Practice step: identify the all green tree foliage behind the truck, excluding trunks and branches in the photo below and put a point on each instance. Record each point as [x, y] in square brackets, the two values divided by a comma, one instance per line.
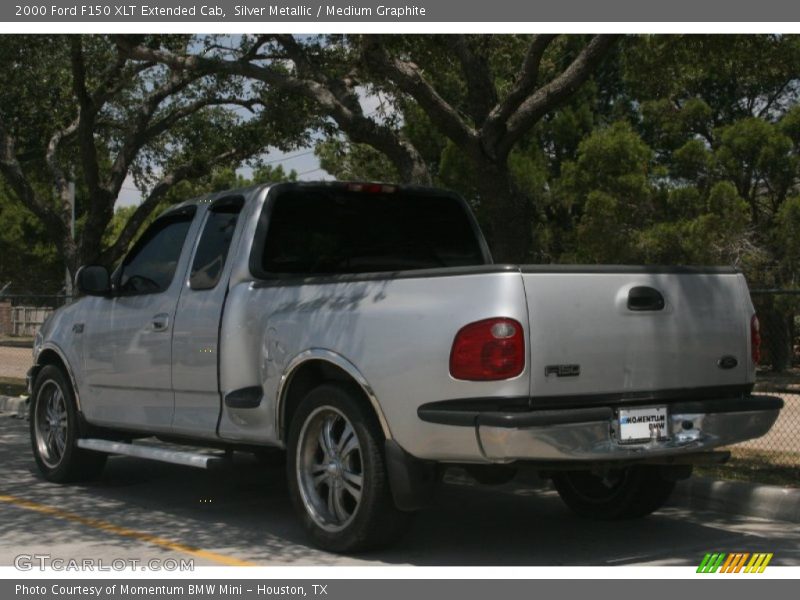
[679, 149]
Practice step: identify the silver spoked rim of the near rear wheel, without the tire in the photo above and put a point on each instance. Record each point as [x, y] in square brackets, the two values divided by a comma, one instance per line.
[329, 468]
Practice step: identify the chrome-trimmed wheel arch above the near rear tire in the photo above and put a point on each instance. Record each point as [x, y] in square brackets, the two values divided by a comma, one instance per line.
[308, 370]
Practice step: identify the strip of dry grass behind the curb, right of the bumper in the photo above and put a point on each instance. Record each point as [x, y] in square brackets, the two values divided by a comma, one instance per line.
[773, 468]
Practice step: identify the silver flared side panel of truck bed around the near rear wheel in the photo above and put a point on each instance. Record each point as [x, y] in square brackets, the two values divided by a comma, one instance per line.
[397, 332]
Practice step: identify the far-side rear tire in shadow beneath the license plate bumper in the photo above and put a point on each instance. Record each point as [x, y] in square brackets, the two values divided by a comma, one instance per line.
[620, 494]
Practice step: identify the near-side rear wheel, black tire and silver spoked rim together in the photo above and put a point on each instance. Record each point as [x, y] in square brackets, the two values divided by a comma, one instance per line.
[337, 473]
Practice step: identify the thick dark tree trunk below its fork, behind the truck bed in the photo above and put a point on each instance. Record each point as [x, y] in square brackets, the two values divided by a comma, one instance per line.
[507, 215]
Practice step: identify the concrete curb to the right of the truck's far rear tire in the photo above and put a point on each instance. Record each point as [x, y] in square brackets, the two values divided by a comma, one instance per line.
[739, 498]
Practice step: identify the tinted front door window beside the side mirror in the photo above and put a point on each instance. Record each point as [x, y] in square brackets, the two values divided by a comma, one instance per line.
[150, 266]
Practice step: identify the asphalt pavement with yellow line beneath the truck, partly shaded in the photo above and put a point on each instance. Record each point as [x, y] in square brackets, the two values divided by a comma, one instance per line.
[142, 510]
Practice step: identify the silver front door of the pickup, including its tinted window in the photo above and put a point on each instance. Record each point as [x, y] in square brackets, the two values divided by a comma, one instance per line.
[128, 375]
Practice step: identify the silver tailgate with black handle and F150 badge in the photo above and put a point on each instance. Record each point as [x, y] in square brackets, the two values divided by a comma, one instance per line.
[635, 333]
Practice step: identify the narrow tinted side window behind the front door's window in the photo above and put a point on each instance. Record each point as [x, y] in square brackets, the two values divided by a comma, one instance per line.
[215, 242]
